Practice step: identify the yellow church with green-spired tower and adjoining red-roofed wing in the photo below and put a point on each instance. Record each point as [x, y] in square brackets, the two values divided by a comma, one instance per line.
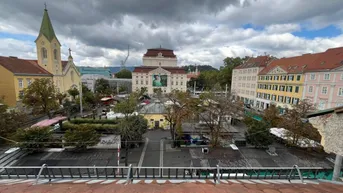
[17, 74]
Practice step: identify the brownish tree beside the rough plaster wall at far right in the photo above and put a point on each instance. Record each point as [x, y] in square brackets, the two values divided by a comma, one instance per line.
[293, 121]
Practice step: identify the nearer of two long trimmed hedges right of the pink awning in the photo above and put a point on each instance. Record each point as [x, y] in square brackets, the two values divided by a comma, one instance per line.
[108, 128]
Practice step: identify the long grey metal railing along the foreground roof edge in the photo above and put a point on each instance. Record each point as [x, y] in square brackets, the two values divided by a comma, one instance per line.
[130, 172]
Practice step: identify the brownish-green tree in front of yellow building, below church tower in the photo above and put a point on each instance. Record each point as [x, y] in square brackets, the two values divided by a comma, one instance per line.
[41, 97]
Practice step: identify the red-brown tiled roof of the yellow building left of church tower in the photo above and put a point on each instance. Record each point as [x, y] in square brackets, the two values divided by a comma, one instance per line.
[21, 66]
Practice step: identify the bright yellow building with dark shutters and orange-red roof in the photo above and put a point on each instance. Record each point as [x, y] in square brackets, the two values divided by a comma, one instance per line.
[282, 82]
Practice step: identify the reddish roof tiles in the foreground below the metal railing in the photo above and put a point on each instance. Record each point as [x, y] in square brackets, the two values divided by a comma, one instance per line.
[183, 187]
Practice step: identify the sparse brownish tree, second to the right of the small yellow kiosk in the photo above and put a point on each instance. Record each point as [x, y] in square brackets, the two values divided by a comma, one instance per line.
[216, 112]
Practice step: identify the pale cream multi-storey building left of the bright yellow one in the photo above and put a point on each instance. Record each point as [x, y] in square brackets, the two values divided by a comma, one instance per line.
[244, 79]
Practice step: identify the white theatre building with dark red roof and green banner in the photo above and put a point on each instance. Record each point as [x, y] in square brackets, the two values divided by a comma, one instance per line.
[159, 71]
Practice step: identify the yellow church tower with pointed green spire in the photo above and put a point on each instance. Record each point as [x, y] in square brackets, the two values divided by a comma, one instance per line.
[49, 48]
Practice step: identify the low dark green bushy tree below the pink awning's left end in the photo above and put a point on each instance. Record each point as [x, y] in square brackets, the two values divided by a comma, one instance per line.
[34, 138]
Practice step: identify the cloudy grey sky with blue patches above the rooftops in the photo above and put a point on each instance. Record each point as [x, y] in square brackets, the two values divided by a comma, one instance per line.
[200, 31]
